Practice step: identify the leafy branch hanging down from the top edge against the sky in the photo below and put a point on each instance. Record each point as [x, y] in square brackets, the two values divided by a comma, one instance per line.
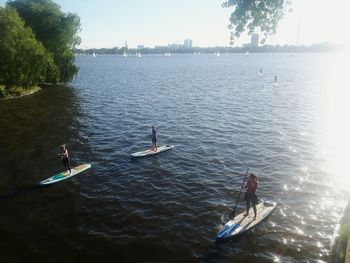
[251, 15]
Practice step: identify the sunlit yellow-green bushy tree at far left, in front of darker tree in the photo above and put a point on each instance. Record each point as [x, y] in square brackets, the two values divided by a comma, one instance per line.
[24, 61]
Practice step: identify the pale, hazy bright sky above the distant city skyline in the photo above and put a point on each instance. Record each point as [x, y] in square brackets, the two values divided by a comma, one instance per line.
[109, 23]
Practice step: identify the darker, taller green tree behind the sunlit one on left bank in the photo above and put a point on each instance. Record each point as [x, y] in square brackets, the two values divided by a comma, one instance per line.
[56, 30]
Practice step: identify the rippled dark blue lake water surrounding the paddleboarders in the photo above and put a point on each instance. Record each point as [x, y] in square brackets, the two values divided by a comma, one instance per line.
[221, 116]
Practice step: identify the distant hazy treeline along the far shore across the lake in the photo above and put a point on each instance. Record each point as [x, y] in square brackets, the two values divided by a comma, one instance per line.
[322, 47]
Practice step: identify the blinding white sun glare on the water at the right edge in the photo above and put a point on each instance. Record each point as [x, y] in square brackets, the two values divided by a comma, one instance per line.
[336, 126]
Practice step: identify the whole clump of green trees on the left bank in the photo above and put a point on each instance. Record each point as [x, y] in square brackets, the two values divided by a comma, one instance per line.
[36, 42]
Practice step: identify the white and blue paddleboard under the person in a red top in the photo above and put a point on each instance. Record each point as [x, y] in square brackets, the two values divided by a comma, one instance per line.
[241, 224]
